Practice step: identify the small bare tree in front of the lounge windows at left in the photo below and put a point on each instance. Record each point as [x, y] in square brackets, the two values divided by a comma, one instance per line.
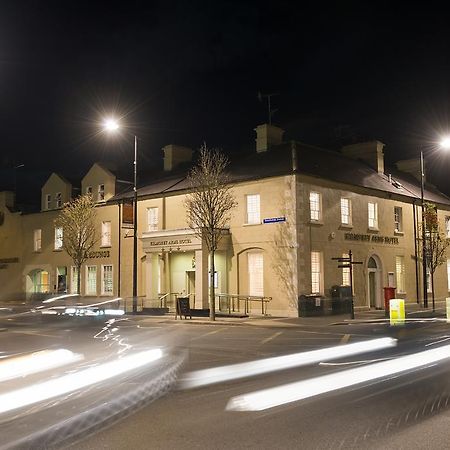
[77, 220]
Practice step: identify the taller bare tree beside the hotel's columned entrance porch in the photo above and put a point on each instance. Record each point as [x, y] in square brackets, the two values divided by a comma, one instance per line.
[209, 205]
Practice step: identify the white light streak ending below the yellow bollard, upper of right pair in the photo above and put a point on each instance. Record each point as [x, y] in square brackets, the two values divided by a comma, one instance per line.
[235, 371]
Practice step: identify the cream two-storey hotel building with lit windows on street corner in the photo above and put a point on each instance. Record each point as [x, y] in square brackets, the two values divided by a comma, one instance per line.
[298, 206]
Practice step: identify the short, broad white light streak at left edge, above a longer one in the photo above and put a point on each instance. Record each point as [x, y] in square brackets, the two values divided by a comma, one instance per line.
[36, 362]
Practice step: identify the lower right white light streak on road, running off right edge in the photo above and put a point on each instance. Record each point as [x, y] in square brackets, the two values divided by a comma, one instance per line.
[280, 395]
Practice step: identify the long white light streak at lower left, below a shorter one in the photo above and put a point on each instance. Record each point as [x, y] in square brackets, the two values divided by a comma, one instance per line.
[74, 381]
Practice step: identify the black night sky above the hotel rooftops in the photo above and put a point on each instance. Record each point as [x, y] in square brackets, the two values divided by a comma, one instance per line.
[189, 71]
